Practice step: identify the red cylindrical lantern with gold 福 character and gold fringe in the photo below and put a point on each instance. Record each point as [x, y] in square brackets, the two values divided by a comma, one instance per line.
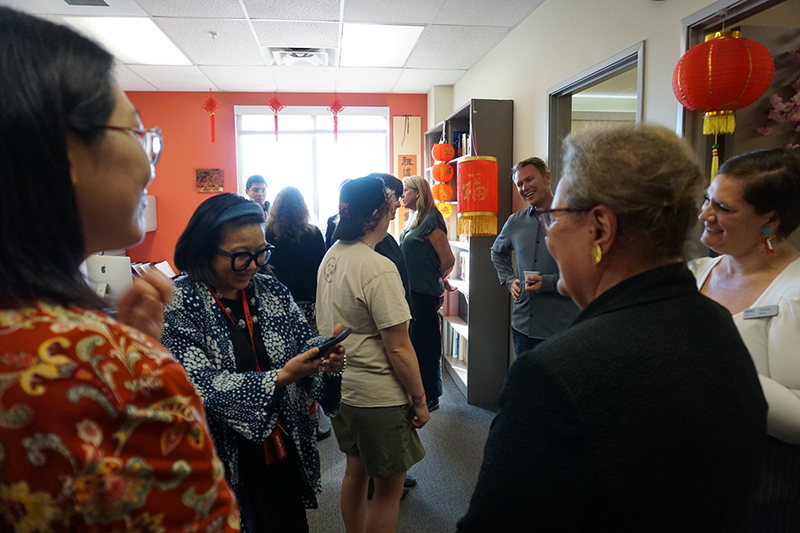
[477, 195]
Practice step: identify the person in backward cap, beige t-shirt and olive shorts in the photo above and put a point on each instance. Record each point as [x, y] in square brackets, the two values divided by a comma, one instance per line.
[383, 400]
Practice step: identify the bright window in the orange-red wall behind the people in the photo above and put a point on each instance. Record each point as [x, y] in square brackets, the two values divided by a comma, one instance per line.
[305, 155]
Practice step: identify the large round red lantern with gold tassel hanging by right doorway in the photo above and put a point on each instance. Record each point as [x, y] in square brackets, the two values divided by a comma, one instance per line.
[723, 74]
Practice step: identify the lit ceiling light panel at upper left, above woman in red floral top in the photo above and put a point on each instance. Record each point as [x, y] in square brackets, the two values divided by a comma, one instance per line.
[132, 40]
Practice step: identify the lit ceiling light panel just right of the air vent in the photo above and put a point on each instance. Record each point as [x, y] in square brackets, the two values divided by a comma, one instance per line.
[377, 45]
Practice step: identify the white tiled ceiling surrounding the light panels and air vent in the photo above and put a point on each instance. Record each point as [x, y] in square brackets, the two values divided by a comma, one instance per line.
[456, 35]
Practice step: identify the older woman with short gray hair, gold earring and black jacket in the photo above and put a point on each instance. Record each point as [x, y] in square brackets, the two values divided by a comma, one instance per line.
[646, 414]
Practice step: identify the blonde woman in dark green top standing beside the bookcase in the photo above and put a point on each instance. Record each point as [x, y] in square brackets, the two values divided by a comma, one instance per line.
[429, 260]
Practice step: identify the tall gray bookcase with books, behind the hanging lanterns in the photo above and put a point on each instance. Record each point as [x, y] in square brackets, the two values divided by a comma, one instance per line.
[476, 317]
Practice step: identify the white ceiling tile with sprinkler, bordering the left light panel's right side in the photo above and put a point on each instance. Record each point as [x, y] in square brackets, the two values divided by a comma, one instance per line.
[234, 43]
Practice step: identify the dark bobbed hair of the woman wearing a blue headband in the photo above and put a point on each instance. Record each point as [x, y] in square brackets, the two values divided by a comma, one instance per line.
[197, 245]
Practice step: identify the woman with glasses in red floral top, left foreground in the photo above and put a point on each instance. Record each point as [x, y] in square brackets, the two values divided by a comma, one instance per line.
[100, 428]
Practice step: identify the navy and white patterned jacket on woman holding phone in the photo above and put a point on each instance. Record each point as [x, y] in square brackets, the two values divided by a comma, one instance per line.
[196, 332]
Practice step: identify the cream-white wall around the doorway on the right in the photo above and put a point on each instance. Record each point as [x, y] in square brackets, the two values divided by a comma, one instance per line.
[565, 37]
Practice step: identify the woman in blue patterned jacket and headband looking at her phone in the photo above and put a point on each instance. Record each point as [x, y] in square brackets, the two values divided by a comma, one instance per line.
[250, 353]
